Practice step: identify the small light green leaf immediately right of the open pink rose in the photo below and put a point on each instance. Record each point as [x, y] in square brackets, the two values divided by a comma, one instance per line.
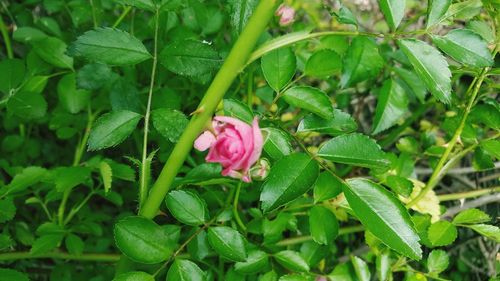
[276, 143]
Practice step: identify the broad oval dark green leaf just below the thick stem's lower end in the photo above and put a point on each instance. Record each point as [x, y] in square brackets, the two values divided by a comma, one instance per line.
[142, 240]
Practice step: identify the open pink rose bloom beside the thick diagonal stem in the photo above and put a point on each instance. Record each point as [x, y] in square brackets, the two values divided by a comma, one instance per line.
[234, 144]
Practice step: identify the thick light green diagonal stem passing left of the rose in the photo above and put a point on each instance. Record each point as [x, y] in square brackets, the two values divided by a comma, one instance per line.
[235, 61]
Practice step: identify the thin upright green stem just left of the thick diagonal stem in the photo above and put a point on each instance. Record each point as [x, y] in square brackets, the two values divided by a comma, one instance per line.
[144, 178]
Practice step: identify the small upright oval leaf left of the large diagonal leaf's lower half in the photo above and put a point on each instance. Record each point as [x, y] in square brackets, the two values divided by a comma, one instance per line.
[323, 225]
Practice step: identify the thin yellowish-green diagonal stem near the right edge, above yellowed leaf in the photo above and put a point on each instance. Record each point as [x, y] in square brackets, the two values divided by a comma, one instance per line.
[437, 174]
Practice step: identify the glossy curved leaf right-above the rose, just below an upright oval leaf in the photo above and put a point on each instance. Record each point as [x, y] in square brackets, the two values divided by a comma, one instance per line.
[310, 99]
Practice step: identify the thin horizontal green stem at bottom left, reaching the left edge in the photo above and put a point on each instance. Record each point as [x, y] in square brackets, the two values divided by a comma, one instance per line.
[60, 255]
